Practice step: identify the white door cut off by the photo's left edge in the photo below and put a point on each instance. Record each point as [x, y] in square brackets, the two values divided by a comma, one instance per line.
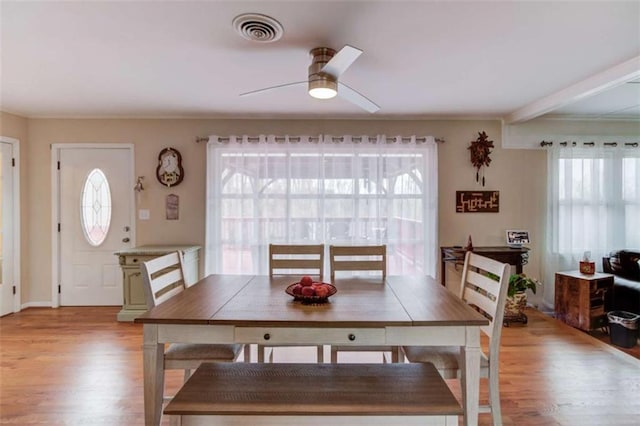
[7, 226]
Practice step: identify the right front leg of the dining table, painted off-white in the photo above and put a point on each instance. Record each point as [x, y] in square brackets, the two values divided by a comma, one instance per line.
[471, 376]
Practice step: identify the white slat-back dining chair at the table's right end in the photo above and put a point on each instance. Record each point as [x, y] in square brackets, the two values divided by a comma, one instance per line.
[484, 286]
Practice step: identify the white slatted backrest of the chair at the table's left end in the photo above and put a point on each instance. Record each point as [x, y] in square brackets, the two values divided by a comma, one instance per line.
[162, 277]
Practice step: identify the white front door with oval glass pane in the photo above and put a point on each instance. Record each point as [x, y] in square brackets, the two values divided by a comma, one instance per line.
[95, 204]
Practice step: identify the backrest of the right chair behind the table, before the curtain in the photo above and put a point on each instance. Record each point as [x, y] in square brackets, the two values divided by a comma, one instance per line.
[358, 258]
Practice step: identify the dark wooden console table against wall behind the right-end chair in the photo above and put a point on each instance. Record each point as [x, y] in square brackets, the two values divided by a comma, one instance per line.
[516, 256]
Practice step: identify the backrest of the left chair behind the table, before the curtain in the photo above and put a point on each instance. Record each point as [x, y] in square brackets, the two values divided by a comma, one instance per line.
[292, 258]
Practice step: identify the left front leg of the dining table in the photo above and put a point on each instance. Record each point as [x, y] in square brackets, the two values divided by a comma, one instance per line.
[153, 367]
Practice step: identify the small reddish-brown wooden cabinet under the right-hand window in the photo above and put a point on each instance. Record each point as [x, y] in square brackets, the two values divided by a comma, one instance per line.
[580, 298]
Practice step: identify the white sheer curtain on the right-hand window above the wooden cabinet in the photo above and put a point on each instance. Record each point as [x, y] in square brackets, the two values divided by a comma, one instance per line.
[593, 205]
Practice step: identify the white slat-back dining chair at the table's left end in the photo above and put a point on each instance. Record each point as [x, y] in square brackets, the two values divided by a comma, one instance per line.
[163, 278]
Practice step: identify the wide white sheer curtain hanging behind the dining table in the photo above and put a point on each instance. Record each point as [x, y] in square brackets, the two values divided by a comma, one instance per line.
[321, 189]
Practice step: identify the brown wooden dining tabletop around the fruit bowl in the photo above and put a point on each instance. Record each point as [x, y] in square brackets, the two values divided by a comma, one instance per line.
[248, 300]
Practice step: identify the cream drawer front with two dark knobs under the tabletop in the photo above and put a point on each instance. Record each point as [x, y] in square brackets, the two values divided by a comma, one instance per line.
[311, 336]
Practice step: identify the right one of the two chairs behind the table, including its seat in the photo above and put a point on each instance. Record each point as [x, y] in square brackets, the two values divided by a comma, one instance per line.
[360, 258]
